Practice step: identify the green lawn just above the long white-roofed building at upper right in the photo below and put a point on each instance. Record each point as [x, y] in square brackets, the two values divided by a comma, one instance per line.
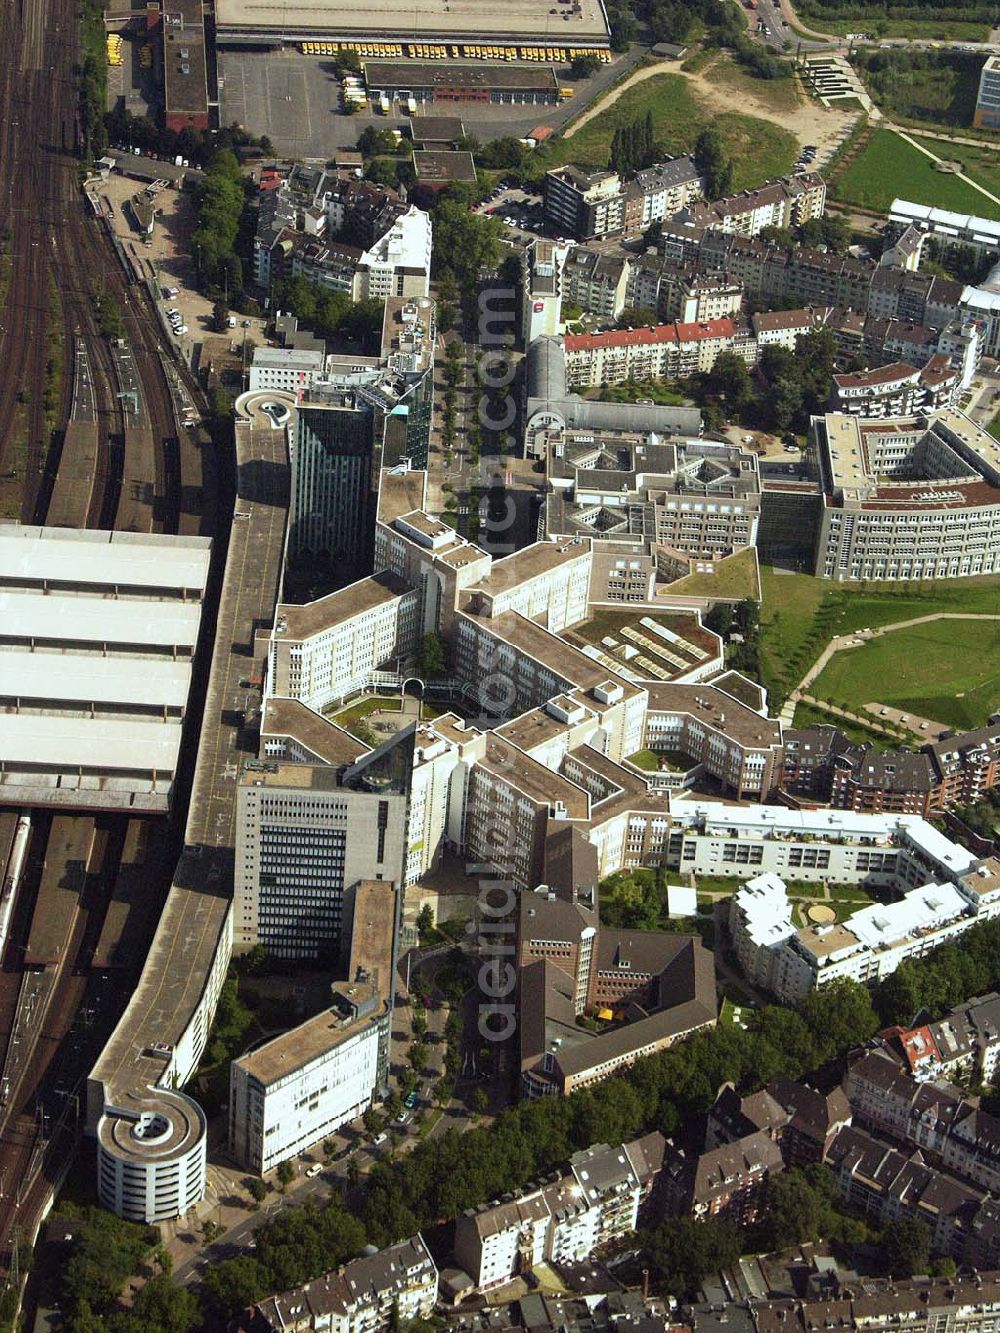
[891, 169]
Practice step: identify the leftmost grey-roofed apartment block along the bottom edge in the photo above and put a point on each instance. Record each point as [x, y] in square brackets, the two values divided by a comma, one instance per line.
[366, 1296]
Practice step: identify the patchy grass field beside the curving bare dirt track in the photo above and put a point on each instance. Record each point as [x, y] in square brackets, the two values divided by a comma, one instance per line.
[759, 149]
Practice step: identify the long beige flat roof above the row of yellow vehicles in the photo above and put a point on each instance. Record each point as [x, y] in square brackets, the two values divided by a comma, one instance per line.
[382, 19]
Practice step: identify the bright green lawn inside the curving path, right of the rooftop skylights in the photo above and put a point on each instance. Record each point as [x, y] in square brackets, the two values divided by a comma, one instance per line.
[949, 671]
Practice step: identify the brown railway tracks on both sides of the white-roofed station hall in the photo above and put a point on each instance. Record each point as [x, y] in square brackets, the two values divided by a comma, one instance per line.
[98, 446]
